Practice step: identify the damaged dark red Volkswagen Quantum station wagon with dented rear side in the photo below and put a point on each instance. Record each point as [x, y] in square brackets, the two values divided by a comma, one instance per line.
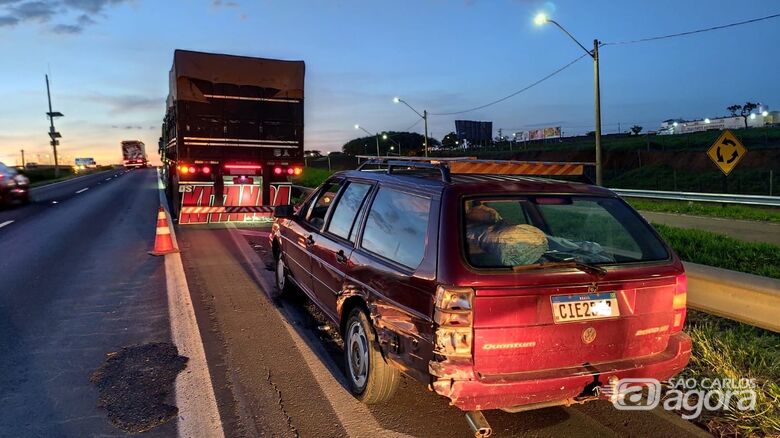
[497, 290]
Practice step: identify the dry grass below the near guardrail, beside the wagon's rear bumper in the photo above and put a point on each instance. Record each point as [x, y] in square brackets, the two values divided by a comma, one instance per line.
[728, 349]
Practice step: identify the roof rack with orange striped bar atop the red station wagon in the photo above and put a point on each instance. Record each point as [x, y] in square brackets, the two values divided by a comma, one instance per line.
[448, 166]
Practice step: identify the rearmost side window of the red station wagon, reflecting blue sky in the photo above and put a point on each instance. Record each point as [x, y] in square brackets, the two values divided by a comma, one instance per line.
[396, 227]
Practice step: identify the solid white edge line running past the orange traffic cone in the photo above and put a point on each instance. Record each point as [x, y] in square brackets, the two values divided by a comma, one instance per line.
[198, 412]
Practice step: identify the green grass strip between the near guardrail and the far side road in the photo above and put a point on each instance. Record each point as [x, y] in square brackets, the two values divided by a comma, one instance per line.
[721, 251]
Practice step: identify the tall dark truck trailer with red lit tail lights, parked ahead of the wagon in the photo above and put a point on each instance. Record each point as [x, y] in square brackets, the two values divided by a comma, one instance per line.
[232, 136]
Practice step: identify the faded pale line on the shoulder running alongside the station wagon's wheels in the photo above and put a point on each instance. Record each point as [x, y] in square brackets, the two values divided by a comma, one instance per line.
[353, 415]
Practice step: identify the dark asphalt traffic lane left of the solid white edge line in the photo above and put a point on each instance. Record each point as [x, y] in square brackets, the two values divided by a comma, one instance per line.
[76, 283]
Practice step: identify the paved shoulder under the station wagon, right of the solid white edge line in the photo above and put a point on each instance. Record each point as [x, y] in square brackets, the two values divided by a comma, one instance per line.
[277, 365]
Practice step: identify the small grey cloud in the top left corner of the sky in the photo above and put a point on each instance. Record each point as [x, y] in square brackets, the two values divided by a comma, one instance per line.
[76, 14]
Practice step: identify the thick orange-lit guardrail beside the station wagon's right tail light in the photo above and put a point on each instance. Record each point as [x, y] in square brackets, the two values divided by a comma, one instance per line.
[742, 297]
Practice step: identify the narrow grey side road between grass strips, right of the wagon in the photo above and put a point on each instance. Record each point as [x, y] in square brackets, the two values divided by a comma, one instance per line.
[750, 231]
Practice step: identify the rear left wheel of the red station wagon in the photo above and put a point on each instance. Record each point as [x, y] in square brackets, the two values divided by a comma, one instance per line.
[371, 379]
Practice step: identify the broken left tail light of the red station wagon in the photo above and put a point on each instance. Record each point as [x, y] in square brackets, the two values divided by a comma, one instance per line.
[453, 314]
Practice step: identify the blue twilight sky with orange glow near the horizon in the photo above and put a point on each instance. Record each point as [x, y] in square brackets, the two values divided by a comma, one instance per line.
[109, 59]
